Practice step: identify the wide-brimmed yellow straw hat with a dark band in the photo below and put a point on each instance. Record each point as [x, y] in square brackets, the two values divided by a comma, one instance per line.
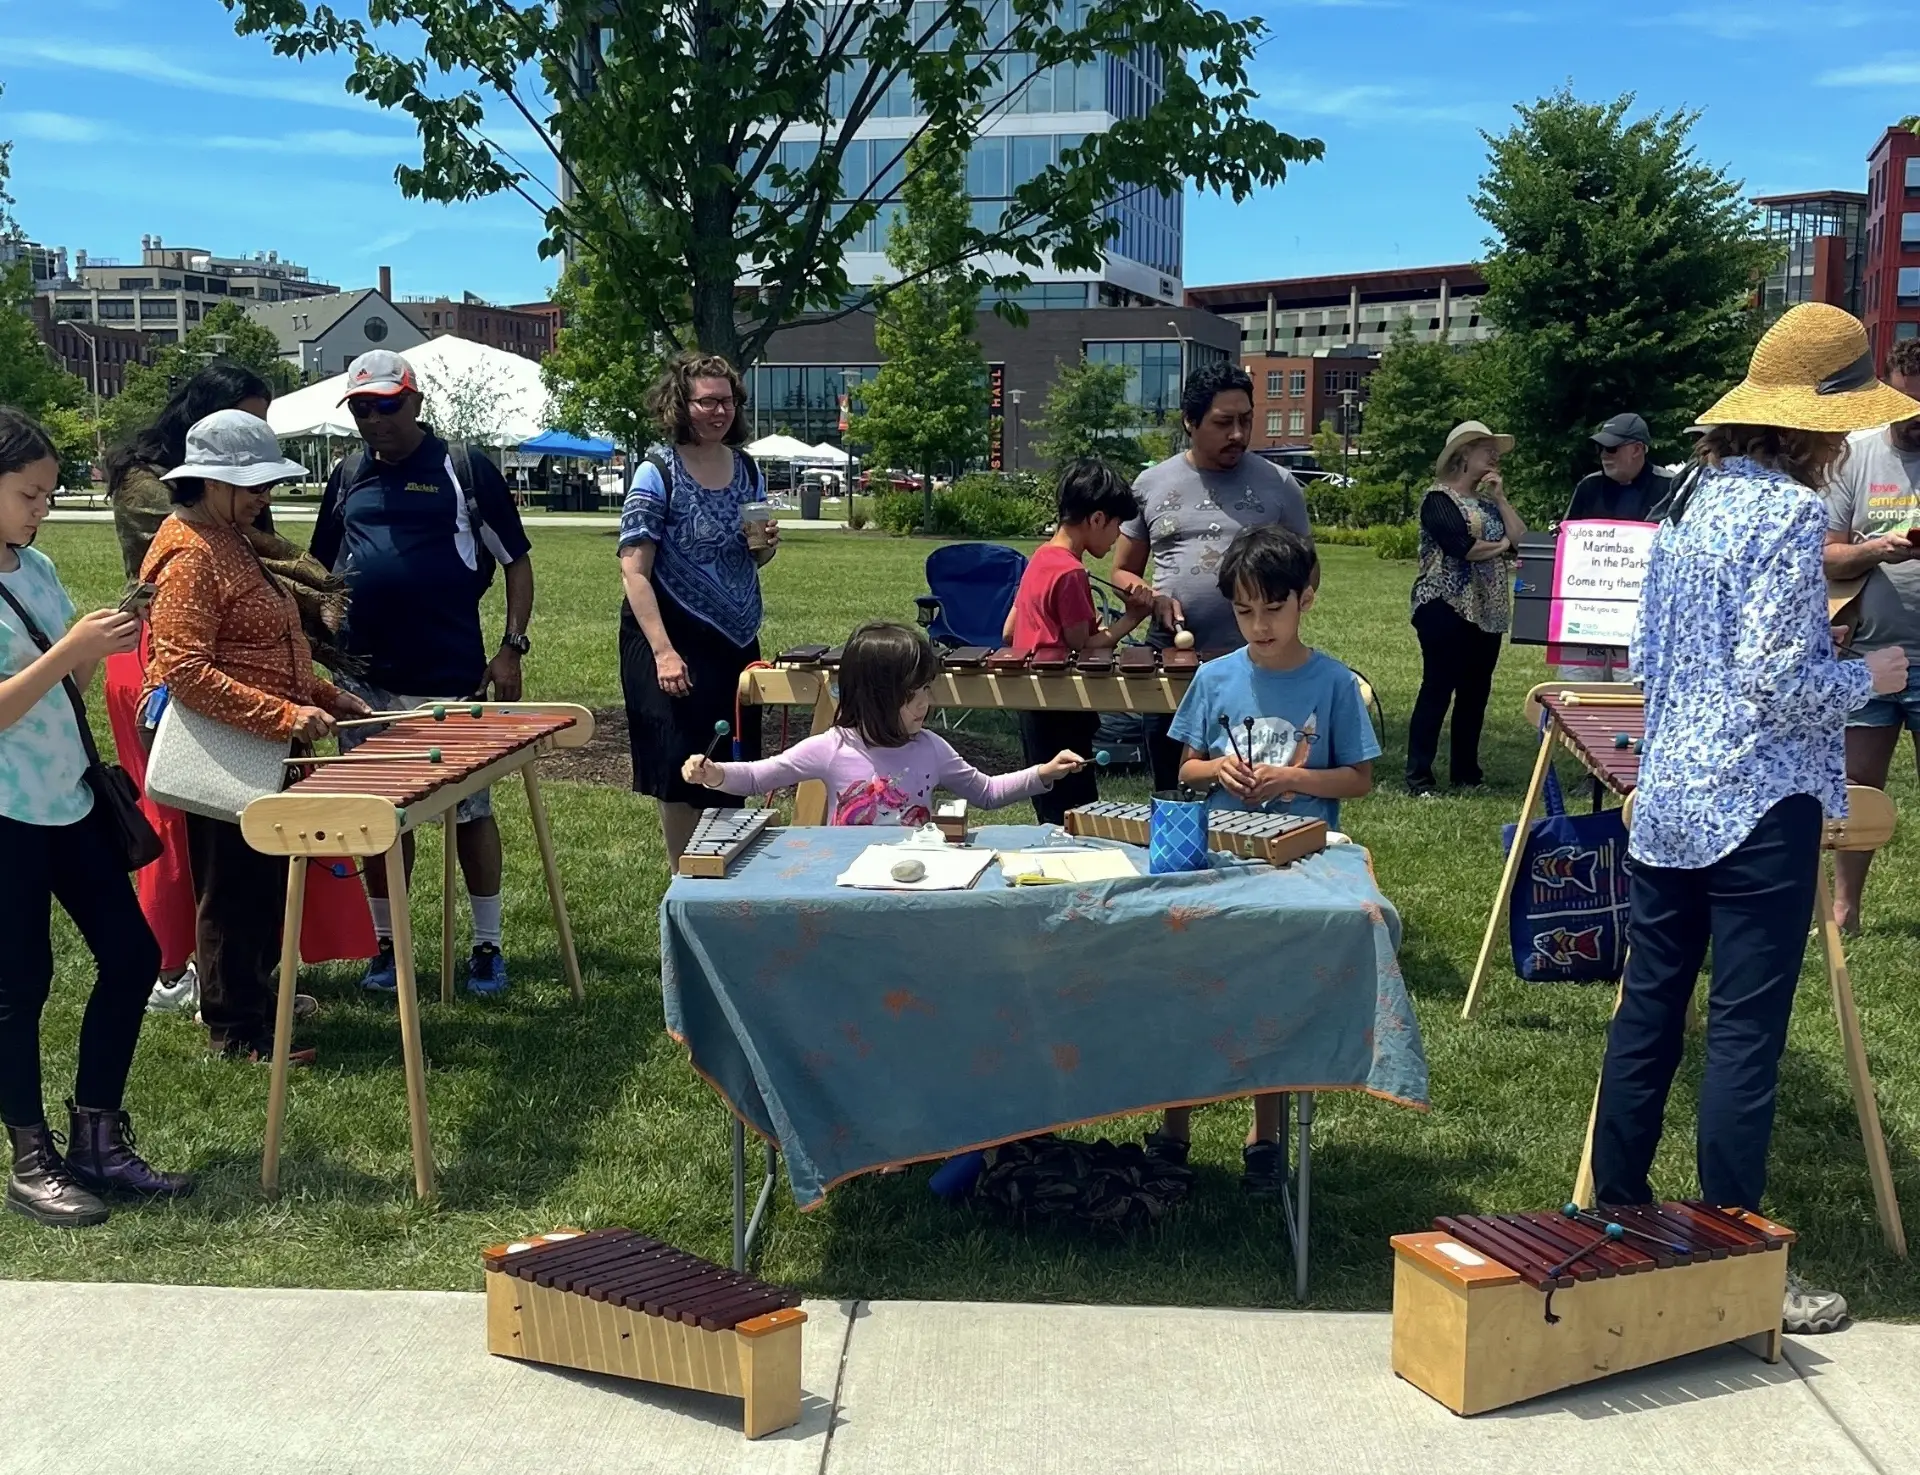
[1813, 372]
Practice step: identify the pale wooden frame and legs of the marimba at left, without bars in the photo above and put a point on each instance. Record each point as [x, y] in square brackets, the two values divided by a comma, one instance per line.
[366, 827]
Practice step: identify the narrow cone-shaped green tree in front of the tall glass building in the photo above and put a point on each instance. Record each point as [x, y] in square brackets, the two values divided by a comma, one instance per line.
[928, 402]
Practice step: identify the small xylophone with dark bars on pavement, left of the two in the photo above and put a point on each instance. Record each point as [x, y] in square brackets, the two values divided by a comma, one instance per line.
[619, 1303]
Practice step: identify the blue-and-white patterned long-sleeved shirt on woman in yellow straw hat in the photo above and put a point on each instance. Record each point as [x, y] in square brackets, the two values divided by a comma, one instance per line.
[1746, 700]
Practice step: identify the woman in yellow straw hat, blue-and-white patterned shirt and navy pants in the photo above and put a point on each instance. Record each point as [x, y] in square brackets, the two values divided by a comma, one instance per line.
[1742, 762]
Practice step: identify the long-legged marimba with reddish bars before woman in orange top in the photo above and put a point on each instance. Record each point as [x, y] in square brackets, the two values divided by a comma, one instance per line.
[408, 775]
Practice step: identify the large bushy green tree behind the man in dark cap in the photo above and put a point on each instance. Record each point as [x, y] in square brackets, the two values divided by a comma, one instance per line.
[1621, 279]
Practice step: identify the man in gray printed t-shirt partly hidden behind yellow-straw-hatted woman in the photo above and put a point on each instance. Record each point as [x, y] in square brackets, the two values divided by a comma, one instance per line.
[1871, 504]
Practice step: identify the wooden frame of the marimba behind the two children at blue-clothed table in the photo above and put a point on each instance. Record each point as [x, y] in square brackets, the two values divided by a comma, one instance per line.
[971, 689]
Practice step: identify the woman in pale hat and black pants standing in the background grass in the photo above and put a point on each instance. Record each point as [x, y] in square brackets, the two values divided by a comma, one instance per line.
[1462, 602]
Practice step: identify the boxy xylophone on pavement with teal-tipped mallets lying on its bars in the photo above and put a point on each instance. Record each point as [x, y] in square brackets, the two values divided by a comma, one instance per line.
[1495, 1309]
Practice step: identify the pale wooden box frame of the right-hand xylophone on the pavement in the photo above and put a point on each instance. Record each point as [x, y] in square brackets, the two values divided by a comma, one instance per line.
[1476, 1336]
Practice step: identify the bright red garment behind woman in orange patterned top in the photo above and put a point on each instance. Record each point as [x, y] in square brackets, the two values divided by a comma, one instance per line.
[337, 923]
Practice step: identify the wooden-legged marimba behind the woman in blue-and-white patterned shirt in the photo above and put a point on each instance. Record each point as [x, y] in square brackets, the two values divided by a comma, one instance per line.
[1604, 727]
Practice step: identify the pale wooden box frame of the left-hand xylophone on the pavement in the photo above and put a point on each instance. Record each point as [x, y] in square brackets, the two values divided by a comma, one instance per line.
[757, 1361]
